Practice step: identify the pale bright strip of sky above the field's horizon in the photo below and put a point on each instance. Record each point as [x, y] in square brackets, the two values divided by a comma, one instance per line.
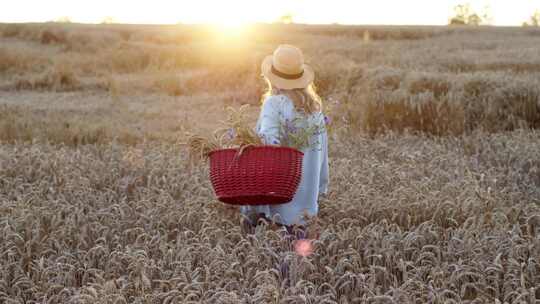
[391, 12]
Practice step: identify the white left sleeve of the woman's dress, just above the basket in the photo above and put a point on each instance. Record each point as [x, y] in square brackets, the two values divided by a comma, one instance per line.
[268, 125]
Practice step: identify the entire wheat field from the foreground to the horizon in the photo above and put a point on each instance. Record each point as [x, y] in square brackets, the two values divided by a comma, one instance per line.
[434, 166]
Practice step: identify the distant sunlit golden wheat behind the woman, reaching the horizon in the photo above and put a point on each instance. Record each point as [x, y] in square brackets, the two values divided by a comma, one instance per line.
[403, 79]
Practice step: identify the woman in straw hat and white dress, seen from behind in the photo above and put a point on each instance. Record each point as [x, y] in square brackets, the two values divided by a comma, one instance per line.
[291, 97]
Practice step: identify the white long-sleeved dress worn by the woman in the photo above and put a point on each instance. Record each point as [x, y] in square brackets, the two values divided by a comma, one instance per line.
[314, 179]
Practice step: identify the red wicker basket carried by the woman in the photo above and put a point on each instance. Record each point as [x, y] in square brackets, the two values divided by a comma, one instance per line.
[260, 175]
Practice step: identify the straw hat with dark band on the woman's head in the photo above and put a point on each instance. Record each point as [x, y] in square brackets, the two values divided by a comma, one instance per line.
[285, 68]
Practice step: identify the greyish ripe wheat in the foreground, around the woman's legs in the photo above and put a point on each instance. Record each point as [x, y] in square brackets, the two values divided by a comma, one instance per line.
[408, 219]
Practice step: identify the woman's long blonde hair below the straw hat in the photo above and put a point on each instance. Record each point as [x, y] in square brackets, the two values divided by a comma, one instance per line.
[306, 99]
